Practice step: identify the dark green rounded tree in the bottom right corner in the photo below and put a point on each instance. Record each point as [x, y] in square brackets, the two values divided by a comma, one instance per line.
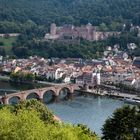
[123, 125]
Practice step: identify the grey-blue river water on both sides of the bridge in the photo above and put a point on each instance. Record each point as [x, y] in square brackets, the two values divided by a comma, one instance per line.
[91, 110]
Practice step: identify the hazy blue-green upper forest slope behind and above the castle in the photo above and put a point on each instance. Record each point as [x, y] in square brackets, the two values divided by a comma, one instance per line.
[68, 11]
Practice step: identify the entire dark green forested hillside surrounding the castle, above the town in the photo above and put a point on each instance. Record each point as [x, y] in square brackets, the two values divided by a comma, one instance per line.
[32, 19]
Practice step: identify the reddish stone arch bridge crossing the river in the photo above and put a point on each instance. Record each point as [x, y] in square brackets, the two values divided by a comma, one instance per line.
[40, 92]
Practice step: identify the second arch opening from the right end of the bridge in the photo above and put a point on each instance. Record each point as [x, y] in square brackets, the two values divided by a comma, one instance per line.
[49, 96]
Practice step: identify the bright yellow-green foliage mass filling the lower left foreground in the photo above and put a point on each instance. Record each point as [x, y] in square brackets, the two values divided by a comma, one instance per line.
[31, 120]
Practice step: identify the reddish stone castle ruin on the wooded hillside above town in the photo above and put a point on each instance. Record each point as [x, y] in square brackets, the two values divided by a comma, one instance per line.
[70, 32]
